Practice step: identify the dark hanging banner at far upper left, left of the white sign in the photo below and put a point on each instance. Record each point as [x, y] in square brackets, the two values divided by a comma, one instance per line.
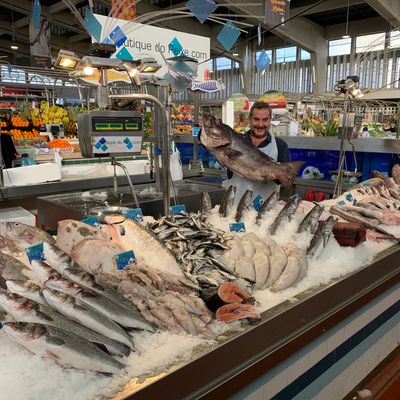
[40, 48]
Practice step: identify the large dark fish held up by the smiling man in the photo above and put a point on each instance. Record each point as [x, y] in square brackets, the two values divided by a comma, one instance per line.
[242, 157]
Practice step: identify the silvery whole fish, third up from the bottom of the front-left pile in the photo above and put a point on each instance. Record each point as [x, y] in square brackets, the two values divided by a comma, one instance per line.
[72, 309]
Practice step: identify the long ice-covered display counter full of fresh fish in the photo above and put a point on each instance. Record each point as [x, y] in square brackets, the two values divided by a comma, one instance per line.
[233, 299]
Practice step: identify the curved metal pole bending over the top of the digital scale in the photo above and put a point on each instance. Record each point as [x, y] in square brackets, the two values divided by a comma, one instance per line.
[163, 133]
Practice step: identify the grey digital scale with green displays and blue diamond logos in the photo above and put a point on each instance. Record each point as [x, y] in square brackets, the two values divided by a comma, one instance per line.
[110, 133]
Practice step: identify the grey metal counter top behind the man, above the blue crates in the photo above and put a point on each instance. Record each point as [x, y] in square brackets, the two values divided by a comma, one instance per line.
[372, 145]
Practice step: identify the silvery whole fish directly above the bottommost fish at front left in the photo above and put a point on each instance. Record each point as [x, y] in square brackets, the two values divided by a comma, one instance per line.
[24, 310]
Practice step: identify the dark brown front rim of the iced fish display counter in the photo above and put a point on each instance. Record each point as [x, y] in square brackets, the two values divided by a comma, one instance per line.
[283, 330]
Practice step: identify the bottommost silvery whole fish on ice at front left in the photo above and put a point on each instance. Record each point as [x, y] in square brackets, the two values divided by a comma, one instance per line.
[65, 348]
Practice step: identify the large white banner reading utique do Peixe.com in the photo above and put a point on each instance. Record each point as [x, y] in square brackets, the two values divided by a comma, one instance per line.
[135, 41]
